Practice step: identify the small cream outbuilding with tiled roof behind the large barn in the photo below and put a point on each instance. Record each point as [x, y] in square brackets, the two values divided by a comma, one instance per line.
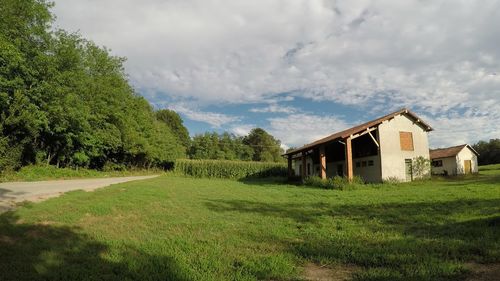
[455, 160]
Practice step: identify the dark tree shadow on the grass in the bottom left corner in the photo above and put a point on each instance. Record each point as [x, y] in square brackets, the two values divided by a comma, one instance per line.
[47, 252]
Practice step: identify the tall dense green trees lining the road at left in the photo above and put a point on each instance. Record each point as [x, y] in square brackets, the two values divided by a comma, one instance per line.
[66, 101]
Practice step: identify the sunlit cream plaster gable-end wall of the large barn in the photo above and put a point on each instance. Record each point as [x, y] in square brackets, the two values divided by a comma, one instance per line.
[392, 157]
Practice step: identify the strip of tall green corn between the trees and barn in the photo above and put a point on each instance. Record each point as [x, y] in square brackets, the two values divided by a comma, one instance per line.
[229, 169]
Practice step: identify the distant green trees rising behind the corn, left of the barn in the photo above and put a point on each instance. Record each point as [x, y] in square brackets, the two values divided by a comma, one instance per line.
[258, 145]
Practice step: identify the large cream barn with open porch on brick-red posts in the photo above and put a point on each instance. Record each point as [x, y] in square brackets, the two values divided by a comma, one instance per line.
[384, 148]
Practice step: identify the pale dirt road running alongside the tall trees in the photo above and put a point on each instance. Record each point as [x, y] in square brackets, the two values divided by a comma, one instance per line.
[14, 192]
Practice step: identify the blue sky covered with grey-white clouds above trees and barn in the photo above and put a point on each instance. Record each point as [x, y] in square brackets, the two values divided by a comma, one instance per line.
[303, 69]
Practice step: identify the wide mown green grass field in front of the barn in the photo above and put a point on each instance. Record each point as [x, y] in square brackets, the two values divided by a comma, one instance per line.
[174, 228]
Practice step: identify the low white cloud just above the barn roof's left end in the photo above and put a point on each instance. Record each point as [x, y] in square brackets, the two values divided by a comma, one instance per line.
[299, 129]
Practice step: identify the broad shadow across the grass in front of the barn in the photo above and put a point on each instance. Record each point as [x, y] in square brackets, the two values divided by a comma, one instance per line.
[407, 241]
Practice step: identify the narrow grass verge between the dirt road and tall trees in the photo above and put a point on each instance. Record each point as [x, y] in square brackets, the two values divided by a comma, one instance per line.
[44, 172]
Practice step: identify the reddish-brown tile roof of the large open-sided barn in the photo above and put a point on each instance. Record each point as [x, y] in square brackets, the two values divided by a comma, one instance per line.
[357, 129]
